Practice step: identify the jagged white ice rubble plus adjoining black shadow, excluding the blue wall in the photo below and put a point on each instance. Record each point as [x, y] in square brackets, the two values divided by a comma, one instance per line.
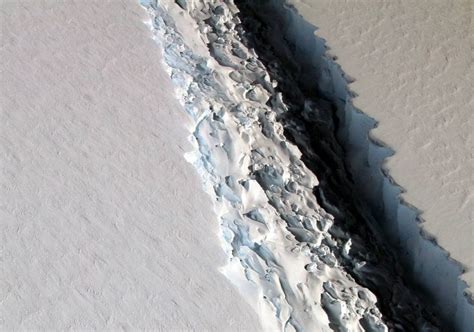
[296, 243]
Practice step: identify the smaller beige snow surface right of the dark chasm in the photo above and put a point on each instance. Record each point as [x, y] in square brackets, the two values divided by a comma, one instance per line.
[412, 66]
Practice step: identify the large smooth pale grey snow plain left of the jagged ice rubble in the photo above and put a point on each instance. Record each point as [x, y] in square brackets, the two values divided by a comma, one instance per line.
[103, 223]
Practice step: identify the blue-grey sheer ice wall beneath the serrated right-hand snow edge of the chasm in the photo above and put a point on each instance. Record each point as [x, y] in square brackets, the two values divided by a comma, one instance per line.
[427, 265]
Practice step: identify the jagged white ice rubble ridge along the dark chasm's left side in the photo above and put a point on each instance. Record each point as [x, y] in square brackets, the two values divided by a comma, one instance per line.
[285, 252]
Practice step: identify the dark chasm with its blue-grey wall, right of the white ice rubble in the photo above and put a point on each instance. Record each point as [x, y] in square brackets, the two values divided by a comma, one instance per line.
[427, 269]
